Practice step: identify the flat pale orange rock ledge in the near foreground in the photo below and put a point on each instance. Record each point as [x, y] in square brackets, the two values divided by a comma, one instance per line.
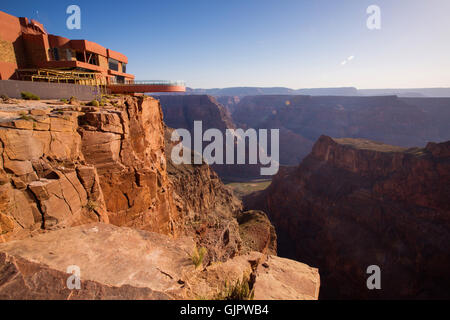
[123, 263]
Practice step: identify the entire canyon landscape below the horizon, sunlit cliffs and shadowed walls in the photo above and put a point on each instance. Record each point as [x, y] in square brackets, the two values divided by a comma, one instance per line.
[95, 187]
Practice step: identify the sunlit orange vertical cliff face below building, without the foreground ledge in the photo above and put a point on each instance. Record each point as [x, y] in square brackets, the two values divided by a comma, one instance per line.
[70, 165]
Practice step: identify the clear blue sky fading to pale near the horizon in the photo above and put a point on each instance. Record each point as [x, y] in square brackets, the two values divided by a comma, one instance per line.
[291, 43]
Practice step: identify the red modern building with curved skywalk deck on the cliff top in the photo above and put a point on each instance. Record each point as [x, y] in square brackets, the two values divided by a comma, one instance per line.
[28, 52]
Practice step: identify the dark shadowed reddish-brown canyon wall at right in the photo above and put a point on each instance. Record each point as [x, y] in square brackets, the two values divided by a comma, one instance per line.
[353, 203]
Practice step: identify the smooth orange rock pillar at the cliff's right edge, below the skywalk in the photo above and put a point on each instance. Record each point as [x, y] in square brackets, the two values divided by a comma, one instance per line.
[126, 145]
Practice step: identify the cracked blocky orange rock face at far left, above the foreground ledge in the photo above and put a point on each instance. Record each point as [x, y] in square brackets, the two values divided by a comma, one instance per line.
[40, 163]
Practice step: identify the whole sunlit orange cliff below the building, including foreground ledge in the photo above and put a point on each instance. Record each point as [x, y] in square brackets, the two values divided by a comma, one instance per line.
[93, 187]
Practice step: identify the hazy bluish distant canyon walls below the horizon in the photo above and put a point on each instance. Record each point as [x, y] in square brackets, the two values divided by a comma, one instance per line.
[406, 122]
